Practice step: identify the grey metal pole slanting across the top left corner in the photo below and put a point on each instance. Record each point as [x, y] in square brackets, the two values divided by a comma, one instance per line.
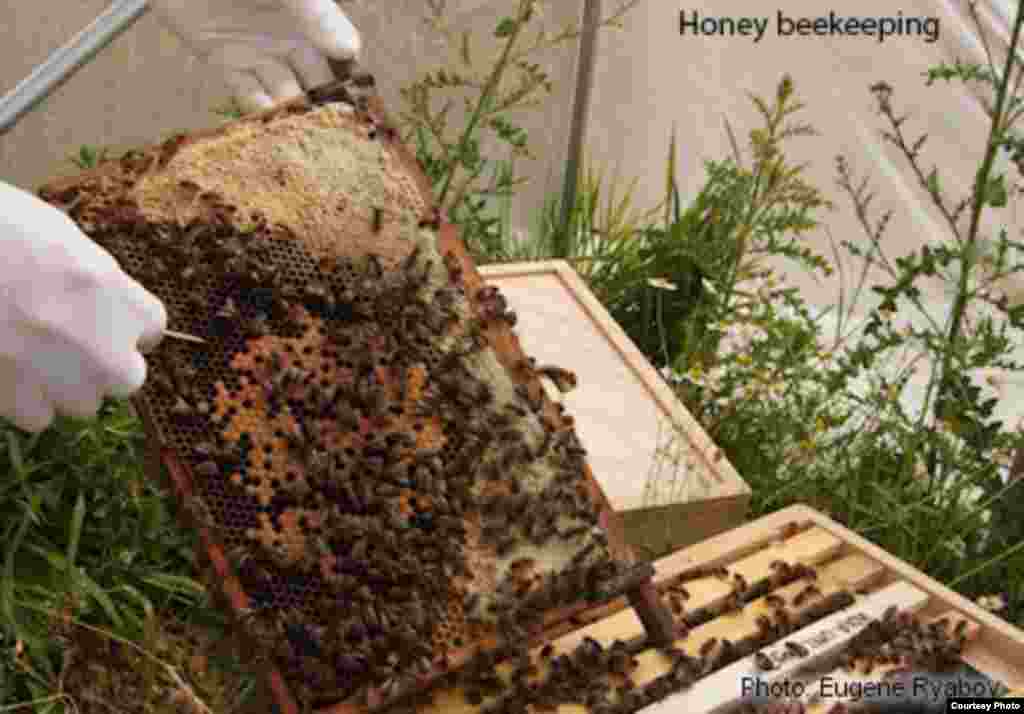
[64, 63]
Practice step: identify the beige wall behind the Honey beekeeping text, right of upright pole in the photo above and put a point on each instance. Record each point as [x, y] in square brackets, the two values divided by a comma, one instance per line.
[650, 78]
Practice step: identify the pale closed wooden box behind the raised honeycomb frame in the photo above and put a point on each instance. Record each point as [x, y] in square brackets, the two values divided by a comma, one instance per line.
[661, 472]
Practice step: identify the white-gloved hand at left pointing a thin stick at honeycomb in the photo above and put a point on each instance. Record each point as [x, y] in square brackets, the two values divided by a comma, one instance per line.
[71, 320]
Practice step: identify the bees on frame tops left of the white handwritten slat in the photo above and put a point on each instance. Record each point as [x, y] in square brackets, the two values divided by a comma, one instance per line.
[601, 678]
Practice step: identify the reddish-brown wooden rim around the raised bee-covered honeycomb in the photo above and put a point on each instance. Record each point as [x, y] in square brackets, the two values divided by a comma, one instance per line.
[634, 580]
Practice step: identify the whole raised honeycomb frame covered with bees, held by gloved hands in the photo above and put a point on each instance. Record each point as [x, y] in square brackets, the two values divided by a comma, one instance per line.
[379, 486]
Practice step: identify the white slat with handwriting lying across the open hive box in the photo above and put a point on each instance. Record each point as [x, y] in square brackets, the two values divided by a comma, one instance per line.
[721, 691]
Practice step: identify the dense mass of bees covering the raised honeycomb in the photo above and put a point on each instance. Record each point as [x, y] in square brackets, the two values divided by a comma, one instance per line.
[370, 619]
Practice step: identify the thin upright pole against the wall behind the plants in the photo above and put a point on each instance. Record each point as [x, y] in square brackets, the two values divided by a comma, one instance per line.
[585, 81]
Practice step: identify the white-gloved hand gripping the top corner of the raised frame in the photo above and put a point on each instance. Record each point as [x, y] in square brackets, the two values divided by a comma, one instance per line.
[270, 51]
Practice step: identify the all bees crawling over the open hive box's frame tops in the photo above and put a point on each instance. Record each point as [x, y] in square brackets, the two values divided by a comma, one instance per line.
[601, 678]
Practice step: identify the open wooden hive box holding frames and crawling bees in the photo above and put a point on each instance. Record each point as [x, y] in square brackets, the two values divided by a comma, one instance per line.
[763, 603]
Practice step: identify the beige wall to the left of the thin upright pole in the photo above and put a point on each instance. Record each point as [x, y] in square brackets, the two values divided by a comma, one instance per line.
[147, 86]
